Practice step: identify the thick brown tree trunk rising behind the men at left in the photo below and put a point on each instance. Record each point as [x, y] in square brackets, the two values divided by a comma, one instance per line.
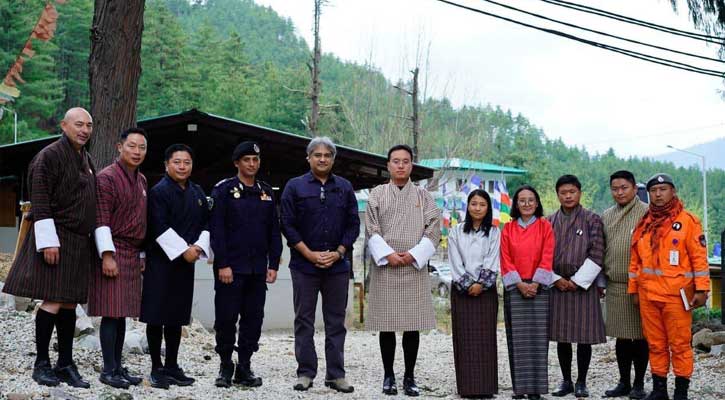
[114, 71]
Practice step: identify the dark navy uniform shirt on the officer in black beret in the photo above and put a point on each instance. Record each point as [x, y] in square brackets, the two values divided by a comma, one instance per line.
[244, 227]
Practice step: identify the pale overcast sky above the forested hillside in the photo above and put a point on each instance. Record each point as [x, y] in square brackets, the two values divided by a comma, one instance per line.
[584, 95]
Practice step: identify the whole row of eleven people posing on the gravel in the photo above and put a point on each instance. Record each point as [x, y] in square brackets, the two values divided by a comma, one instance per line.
[102, 239]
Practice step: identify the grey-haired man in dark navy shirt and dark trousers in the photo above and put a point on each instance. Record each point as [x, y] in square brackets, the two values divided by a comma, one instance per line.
[320, 221]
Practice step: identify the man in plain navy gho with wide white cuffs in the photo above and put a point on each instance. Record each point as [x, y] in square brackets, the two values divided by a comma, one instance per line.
[177, 237]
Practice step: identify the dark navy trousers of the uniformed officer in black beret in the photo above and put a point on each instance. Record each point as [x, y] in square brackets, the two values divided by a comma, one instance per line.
[242, 302]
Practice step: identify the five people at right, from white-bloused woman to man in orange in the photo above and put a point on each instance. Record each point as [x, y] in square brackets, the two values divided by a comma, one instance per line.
[554, 271]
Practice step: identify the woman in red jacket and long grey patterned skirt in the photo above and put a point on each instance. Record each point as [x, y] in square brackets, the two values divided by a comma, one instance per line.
[527, 250]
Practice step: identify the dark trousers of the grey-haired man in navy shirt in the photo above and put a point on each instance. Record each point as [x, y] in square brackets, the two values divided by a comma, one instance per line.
[306, 289]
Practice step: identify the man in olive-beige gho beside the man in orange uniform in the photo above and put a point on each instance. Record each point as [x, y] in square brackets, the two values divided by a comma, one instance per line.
[623, 319]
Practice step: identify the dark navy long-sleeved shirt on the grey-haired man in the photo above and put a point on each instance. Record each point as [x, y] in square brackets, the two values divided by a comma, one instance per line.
[321, 216]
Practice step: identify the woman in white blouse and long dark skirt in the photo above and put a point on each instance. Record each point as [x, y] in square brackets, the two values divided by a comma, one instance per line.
[473, 252]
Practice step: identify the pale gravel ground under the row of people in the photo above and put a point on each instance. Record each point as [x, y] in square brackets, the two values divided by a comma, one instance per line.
[276, 364]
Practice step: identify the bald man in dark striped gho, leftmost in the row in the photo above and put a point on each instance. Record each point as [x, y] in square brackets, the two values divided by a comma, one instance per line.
[54, 260]
